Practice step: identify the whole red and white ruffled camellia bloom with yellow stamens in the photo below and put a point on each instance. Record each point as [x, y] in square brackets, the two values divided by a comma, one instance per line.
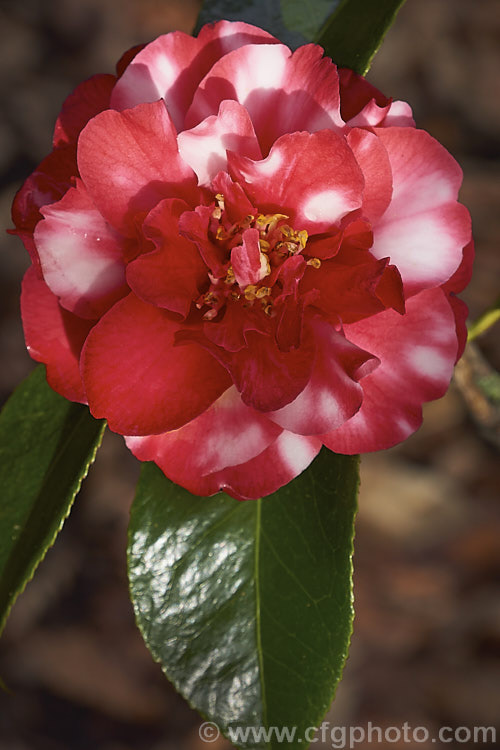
[241, 254]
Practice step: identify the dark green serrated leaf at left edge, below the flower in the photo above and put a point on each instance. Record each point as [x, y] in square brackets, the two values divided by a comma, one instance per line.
[46, 447]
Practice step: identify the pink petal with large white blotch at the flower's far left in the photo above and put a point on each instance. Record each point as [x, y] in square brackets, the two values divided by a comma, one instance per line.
[81, 255]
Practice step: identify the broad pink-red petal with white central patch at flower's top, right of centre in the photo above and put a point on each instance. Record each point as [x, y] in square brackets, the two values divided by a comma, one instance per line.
[283, 92]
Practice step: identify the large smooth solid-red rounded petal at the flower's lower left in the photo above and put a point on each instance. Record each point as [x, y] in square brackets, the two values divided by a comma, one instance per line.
[138, 379]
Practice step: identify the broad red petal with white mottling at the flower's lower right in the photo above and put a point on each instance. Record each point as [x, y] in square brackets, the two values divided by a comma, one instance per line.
[417, 352]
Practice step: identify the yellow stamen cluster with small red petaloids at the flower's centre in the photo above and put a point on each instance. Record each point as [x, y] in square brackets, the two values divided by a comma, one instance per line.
[253, 251]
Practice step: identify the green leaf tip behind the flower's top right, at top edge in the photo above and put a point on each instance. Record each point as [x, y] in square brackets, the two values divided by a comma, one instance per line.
[354, 32]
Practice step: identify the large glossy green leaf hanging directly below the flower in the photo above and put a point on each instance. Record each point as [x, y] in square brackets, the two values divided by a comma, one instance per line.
[248, 605]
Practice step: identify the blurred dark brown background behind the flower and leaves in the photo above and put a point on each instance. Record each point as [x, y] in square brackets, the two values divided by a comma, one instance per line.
[426, 648]
